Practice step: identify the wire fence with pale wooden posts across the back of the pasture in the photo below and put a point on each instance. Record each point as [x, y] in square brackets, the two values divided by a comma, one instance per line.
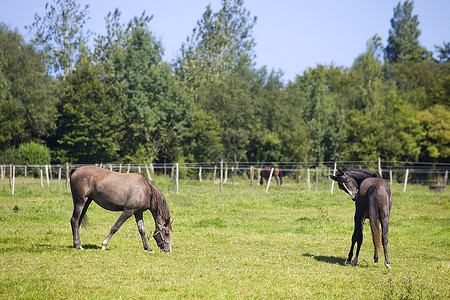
[309, 175]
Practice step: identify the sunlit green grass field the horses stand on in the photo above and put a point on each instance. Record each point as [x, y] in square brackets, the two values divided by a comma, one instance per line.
[290, 243]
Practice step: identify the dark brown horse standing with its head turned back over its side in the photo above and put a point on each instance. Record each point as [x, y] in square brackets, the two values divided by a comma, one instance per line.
[373, 200]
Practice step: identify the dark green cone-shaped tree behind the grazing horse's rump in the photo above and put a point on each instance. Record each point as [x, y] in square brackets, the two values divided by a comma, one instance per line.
[90, 126]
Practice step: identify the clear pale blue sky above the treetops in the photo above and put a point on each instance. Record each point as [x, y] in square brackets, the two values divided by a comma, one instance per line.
[291, 35]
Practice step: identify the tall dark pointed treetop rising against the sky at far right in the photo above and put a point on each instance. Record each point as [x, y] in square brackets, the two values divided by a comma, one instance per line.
[403, 41]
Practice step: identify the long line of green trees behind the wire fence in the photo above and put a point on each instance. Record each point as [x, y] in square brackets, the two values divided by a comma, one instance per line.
[119, 101]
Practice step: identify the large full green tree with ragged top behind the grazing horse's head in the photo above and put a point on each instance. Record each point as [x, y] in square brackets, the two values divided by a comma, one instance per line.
[155, 109]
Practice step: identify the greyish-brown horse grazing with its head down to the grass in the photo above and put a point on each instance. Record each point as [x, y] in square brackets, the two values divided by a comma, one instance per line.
[130, 193]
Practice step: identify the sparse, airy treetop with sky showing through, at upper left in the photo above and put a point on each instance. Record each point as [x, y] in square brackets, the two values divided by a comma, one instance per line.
[60, 35]
